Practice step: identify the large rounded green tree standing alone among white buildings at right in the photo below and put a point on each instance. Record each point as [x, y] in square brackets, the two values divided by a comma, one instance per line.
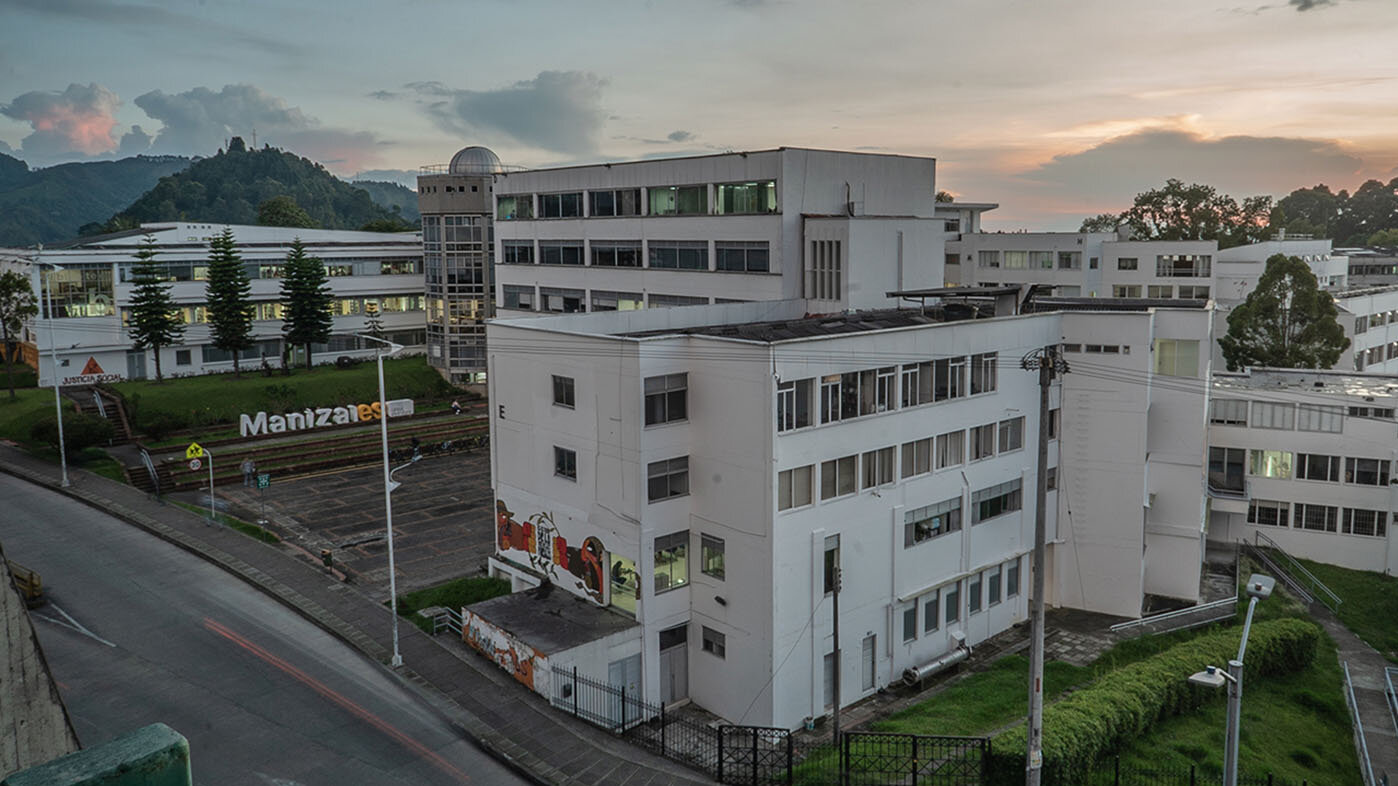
[1285, 322]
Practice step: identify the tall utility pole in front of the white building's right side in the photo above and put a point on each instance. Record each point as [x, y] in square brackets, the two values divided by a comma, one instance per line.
[1049, 366]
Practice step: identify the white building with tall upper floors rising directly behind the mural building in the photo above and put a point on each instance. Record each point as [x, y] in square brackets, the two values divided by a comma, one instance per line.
[837, 229]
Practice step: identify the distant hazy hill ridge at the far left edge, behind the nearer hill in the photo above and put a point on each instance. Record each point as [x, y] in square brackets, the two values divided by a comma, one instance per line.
[50, 205]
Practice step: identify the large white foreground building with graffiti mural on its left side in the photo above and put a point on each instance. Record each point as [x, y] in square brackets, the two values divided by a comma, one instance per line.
[705, 472]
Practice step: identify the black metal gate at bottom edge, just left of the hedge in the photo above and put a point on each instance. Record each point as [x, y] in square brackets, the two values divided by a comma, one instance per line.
[877, 760]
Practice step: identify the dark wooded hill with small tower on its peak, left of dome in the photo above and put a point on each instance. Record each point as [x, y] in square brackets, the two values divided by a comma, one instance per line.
[229, 188]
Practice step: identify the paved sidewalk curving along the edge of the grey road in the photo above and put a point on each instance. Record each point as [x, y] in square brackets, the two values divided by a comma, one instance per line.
[510, 722]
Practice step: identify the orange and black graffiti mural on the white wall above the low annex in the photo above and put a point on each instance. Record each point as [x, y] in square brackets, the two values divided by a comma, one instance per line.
[550, 553]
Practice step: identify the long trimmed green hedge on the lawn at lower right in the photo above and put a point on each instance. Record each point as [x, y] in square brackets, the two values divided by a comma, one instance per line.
[1100, 720]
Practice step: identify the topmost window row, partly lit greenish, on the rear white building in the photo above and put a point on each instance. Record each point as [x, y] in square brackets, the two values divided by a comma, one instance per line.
[728, 199]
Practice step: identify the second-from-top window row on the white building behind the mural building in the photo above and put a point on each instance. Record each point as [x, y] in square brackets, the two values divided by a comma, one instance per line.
[729, 257]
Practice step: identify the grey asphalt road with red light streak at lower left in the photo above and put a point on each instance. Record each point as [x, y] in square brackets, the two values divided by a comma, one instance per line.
[139, 631]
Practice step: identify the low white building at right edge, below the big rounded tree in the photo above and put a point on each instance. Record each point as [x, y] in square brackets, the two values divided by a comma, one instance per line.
[1306, 458]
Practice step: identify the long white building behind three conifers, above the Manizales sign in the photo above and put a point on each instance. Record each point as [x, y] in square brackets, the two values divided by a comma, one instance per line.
[92, 292]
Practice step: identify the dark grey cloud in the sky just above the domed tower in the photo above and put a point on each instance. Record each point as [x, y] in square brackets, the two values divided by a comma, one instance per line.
[559, 111]
